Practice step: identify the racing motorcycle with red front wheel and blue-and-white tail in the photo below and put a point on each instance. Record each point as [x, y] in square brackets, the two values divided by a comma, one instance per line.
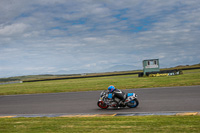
[106, 100]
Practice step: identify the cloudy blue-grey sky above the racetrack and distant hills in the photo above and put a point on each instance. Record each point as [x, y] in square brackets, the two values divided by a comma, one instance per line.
[87, 36]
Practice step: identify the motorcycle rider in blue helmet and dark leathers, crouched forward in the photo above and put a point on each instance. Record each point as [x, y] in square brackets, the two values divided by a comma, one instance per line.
[116, 93]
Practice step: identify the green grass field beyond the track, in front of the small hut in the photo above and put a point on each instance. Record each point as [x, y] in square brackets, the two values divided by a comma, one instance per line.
[190, 77]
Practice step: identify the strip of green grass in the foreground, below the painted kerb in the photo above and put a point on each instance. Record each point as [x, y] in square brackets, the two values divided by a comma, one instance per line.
[162, 124]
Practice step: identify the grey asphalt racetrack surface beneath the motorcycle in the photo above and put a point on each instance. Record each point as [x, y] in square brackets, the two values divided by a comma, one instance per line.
[165, 99]
